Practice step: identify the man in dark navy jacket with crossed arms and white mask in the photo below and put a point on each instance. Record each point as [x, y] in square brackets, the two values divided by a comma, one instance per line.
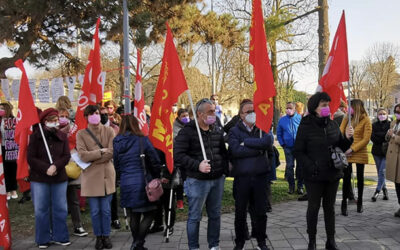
[248, 149]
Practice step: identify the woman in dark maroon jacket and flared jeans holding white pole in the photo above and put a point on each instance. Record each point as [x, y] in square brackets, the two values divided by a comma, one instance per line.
[49, 181]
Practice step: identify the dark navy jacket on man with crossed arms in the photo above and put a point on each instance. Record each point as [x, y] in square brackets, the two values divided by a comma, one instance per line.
[249, 152]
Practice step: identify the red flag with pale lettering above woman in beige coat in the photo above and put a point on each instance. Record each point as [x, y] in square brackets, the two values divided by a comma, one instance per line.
[91, 92]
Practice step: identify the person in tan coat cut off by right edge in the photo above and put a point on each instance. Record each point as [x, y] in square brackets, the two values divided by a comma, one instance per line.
[393, 153]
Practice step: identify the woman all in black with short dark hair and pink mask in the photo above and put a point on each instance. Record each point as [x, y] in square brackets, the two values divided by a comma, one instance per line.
[317, 135]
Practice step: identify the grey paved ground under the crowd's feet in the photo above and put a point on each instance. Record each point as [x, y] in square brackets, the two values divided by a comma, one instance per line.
[376, 228]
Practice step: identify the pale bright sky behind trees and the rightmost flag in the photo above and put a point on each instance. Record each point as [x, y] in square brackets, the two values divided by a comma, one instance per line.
[368, 22]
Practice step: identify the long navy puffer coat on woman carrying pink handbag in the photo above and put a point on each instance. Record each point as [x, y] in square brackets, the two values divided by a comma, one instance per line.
[128, 164]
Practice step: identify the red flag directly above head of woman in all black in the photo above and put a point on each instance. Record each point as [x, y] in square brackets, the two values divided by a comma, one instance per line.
[336, 70]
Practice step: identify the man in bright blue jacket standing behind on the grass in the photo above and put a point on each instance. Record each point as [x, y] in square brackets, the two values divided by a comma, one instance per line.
[286, 133]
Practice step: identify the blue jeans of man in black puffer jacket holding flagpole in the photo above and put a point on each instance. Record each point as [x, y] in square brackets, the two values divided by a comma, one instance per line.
[200, 192]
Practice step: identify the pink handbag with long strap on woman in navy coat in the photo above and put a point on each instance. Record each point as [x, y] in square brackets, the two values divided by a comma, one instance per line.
[153, 188]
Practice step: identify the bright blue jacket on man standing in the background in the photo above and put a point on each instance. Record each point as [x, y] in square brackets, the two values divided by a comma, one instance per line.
[287, 130]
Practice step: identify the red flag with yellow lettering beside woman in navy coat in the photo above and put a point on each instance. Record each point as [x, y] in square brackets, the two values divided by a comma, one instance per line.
[171, 84]
